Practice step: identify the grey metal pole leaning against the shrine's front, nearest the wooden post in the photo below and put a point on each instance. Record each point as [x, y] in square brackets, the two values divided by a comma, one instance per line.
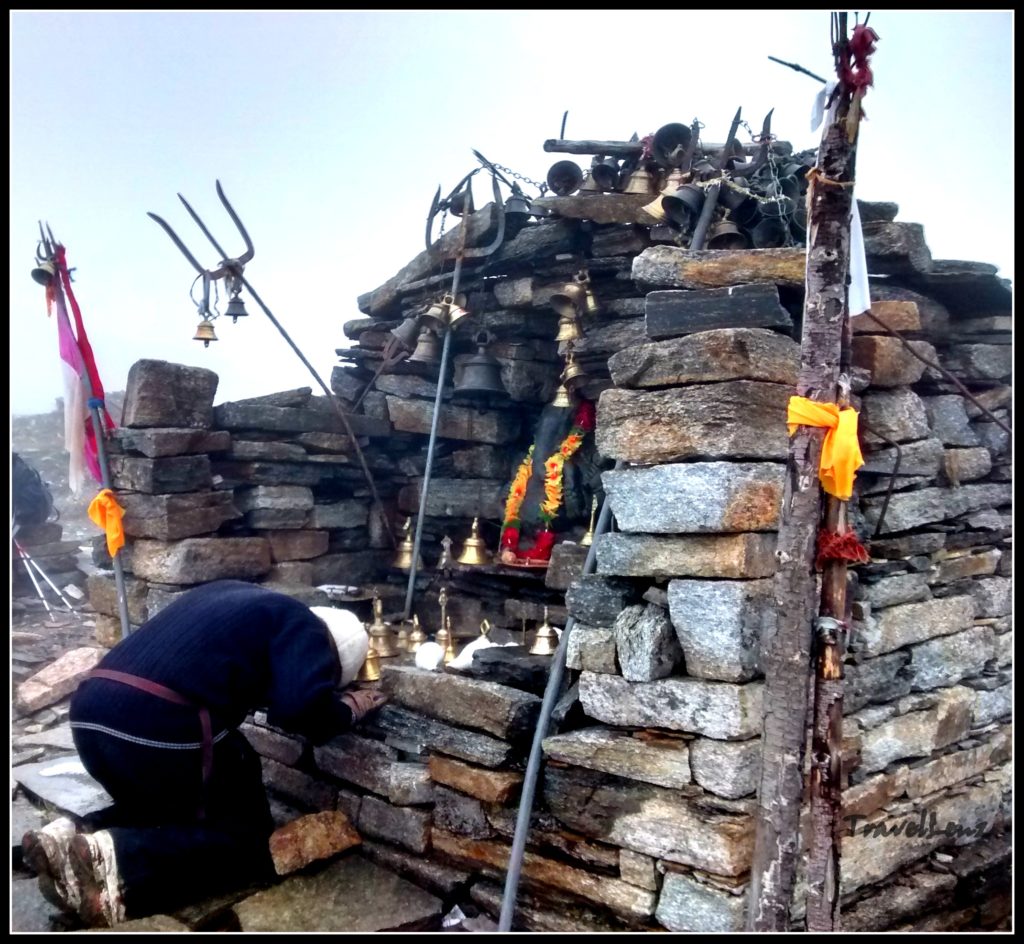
[536, 751]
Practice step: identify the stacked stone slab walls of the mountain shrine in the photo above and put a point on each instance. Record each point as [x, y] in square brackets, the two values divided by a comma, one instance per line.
[645, 813]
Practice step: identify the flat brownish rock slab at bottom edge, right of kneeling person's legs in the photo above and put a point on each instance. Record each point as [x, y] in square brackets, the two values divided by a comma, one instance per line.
[350, 895]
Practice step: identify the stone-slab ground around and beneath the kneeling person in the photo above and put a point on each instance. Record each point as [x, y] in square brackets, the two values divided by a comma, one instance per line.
[347, 892]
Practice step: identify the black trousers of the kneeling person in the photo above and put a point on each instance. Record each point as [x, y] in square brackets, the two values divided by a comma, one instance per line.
[167, 856]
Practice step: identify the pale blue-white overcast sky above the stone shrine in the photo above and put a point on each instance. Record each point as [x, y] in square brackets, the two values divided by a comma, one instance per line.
[330, 133]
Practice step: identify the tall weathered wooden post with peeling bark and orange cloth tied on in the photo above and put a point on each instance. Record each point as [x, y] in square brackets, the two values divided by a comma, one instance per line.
[787, 651]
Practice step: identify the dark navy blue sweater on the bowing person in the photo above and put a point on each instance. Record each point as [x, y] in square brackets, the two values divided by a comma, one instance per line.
[233, 647]
